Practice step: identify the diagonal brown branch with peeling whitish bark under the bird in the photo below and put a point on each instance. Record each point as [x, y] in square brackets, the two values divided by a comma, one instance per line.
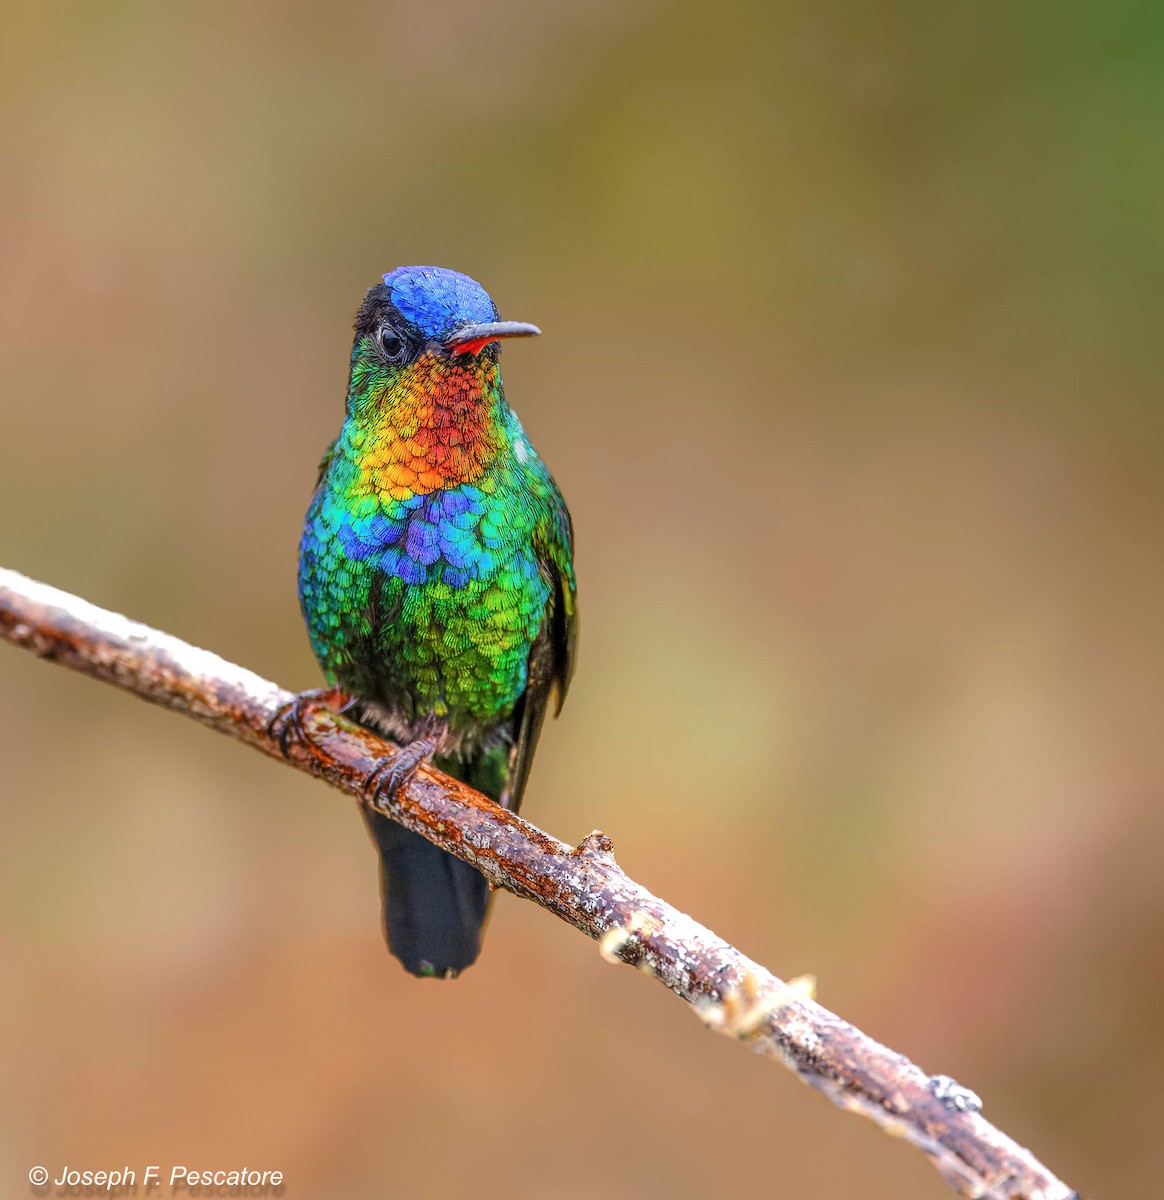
[583, 885]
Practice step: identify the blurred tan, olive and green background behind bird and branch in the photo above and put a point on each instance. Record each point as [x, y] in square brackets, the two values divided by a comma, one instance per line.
[851, 376]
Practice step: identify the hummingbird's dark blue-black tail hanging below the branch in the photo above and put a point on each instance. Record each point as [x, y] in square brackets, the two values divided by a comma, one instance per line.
[434, 904]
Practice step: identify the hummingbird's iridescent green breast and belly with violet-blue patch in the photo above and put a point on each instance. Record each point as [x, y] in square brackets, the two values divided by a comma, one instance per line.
[430, 604]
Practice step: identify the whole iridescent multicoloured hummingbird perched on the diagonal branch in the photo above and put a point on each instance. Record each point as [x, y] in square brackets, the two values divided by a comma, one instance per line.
[436, 579]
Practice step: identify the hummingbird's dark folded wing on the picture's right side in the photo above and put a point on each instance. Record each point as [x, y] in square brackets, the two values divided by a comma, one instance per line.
[551, 659]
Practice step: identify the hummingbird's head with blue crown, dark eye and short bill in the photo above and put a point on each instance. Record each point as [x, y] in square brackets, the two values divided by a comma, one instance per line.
[428, 337]
